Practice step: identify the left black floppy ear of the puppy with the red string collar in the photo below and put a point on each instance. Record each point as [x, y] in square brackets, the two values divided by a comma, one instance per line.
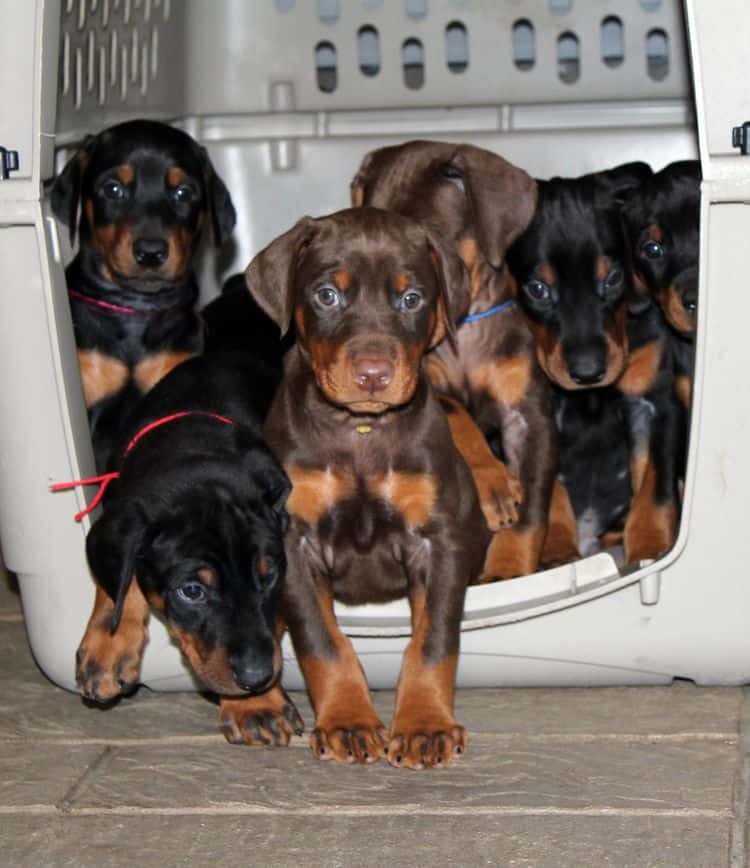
[112, 546]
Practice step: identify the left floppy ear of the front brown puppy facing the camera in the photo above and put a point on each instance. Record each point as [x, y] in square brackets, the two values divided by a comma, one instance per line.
[270, 276]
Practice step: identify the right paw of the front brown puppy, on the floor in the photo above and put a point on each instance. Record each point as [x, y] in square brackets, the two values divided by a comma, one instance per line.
[424, 744]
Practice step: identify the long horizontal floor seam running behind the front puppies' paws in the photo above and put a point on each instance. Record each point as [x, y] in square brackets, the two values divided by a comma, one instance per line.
[727, 738]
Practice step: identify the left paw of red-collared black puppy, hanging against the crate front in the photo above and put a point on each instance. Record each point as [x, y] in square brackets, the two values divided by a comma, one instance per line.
[108, 665]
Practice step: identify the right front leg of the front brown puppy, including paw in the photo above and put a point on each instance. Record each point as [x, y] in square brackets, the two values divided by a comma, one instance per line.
[424, 732]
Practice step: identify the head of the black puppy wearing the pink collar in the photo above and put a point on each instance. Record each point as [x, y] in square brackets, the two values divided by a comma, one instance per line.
[144, 191]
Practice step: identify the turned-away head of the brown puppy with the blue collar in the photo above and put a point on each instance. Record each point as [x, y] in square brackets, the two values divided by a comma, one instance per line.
[478, 201]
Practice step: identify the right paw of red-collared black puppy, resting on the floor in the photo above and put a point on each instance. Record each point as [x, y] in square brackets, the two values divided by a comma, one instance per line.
[270, 719]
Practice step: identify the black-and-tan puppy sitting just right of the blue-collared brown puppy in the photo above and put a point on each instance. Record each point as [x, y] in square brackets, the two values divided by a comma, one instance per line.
[611, 372]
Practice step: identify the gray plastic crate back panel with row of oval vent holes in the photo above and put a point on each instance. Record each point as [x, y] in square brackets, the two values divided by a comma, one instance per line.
[241, 51]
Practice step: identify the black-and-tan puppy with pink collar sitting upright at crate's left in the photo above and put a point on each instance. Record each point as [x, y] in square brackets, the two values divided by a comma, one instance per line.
[145, 191]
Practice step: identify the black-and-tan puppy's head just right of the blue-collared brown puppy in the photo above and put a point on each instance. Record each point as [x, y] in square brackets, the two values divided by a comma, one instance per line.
[572, 276]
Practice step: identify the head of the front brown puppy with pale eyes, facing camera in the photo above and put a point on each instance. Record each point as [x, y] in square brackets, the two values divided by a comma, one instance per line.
[370, 293]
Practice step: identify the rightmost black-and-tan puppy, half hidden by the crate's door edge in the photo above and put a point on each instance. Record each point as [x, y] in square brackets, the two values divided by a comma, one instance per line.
[661, 219]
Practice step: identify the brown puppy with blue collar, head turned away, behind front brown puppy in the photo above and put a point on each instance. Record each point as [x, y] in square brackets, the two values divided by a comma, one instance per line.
[480, 203]
